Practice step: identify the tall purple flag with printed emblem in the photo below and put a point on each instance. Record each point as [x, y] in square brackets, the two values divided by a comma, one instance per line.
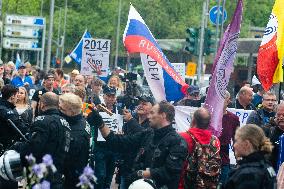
[222, 69]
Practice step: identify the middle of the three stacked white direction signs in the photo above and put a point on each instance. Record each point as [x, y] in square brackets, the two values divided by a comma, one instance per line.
[21, 31]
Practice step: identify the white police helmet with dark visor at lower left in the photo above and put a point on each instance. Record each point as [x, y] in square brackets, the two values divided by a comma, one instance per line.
[10, 166]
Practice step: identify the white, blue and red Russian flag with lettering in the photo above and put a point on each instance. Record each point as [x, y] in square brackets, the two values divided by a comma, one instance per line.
[163, 80]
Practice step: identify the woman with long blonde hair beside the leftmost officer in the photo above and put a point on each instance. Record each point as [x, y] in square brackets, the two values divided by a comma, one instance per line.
[23, 106]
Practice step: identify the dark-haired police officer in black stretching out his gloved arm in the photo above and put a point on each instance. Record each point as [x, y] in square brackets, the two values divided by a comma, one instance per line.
[161, 150]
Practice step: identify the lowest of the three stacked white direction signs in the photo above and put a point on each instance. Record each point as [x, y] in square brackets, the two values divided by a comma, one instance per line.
[21, 44]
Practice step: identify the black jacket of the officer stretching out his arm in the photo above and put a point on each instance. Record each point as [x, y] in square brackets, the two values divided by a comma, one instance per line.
[161, 150]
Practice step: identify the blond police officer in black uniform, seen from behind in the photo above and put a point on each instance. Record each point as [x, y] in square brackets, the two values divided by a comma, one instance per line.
[70, 106]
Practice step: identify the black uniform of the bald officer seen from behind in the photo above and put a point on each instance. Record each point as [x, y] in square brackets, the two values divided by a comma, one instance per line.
[50, 134]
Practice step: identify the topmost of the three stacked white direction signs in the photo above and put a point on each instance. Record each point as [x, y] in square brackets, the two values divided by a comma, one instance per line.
[24, 20]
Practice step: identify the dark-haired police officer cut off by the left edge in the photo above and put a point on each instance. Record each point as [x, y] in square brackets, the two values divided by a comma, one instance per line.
[7, 111]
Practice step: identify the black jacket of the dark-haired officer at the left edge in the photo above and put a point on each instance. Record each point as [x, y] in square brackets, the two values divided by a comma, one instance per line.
[7, 132]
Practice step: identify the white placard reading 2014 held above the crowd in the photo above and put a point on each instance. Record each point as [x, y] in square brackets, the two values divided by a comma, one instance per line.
[95, 57]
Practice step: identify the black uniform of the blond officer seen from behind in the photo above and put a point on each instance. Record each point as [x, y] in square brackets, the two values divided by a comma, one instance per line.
[79, 151]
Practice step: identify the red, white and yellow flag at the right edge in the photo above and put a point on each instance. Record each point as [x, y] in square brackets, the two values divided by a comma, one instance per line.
[271, 50]
